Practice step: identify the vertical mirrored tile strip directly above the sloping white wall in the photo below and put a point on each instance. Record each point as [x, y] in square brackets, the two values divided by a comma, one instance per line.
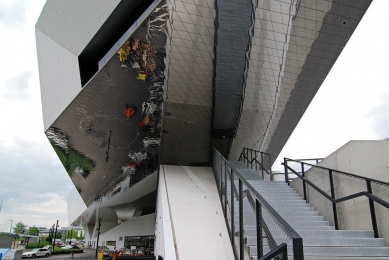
[188, 89]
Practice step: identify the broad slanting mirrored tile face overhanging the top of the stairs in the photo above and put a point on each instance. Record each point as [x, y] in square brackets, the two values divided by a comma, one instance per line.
[294, 47]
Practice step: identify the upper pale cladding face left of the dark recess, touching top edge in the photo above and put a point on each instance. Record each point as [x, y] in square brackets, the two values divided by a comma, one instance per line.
[72, 24]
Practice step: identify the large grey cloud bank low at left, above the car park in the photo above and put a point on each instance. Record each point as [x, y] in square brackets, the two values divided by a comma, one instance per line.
[34, 185]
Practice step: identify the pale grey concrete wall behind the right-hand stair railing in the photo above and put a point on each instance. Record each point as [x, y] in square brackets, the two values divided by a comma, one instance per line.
[364, 158]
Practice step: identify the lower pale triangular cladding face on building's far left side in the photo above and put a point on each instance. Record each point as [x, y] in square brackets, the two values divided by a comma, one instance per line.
[59, 77]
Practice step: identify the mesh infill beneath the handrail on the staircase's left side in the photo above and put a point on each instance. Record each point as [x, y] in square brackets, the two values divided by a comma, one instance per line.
[244, 212]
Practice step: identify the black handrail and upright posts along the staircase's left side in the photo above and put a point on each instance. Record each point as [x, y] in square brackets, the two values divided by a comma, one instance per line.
[297, 241]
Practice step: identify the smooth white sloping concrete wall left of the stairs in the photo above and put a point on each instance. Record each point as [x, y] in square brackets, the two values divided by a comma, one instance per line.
[199, 228]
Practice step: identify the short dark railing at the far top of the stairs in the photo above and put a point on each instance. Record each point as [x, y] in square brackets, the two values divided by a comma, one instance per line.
[256, 160]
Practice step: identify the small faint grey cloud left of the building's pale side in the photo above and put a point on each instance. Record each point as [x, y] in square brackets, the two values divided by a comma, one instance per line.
[17, 87]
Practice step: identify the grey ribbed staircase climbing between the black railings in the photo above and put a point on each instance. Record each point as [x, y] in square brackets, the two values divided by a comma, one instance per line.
[320, 240]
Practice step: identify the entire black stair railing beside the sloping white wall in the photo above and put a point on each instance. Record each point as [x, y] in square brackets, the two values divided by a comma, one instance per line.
[281, 232]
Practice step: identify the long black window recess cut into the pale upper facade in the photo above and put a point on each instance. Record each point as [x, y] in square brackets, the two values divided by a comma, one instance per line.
[121, 19]
